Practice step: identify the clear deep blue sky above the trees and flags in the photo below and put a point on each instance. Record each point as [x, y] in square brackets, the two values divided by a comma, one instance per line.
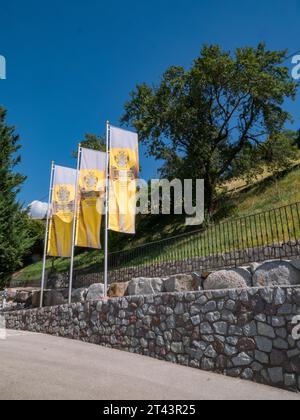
[71, 64]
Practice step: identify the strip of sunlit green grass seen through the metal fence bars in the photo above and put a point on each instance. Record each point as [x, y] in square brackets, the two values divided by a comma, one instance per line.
[268, 228]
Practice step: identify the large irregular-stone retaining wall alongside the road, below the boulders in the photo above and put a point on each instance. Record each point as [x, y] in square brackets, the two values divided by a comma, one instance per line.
[241, 333]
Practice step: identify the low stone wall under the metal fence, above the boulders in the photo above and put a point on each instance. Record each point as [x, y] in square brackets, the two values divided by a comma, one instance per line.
[84, 278]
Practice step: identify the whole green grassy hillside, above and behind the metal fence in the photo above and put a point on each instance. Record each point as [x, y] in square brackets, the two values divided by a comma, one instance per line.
[234, 232]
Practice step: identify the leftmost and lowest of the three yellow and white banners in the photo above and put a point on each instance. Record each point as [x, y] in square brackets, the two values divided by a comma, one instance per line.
[61, 223]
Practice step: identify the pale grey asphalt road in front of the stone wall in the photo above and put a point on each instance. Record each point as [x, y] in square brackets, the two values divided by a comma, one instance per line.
[34, 366]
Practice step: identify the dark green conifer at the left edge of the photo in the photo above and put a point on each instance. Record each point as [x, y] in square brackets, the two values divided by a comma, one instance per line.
[15, 237]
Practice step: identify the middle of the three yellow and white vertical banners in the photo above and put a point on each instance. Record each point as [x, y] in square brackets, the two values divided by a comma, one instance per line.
[91, 198]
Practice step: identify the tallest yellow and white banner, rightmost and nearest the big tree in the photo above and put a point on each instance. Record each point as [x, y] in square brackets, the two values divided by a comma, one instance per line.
[124, 170]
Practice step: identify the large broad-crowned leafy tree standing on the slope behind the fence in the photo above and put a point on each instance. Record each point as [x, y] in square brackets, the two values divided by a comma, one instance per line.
[222, 118]
